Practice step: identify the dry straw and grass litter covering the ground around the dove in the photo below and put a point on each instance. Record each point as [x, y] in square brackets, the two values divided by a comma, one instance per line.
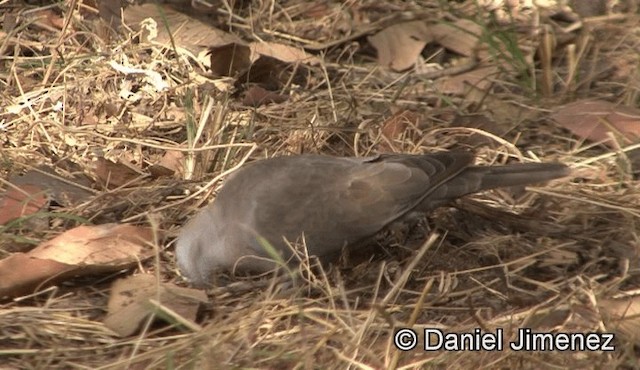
[563, 257]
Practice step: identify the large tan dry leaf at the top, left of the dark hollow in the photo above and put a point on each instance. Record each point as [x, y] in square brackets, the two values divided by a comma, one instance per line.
[188, 34]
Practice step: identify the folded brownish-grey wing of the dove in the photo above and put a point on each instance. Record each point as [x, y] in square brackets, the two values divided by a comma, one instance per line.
[338, 201]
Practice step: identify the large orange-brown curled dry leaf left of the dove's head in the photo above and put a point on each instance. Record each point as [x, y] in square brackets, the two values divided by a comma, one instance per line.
[83, 250]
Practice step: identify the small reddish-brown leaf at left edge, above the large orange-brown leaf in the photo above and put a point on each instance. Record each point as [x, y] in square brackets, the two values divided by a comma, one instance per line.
[22, 201]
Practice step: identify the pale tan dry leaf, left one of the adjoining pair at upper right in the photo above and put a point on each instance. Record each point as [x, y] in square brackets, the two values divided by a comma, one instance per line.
[400, 45]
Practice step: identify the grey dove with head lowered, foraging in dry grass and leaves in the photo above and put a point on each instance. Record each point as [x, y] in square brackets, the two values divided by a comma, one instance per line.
[333, 202]
